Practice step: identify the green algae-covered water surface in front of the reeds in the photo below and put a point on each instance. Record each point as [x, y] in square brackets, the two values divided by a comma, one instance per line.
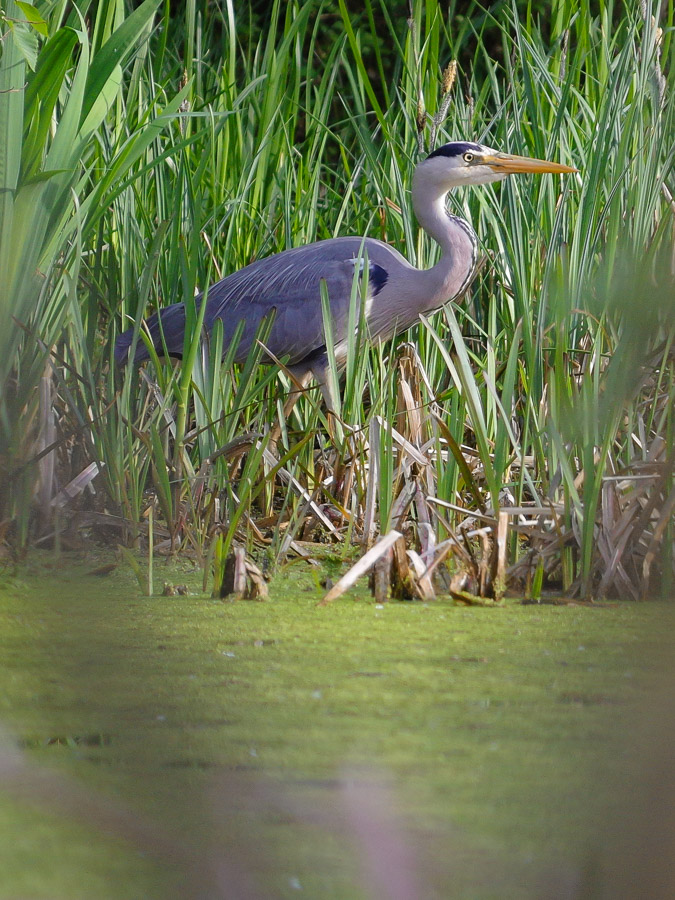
[187, 747]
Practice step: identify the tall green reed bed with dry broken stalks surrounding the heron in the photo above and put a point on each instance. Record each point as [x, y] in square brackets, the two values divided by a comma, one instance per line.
[521, 439]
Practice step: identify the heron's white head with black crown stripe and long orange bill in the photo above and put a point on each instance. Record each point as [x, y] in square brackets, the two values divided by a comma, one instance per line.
[462, 162]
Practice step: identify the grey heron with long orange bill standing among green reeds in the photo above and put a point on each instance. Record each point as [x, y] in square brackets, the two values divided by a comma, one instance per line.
[288, 284]
